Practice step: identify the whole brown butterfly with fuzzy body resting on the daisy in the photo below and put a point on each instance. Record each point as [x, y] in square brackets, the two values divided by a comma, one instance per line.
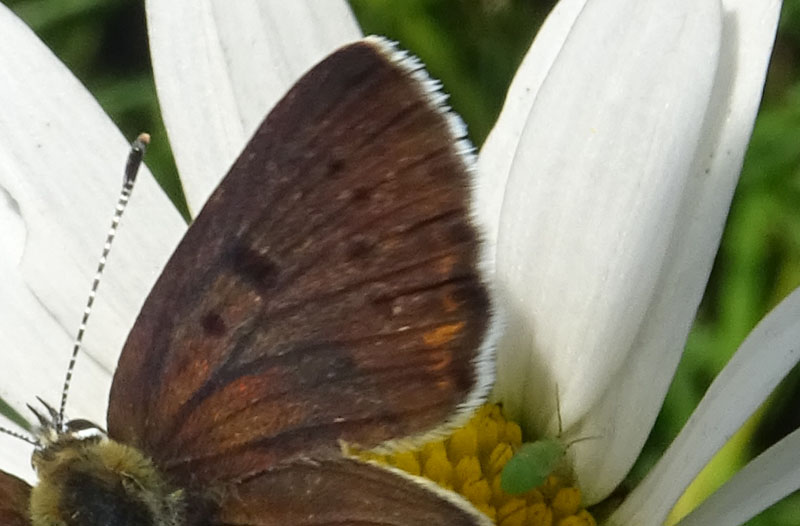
[330, 294]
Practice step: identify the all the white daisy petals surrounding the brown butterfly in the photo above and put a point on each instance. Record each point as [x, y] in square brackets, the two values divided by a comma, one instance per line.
[607, 180]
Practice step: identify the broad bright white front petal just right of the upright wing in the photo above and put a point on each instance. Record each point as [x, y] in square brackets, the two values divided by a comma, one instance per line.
[593, 198]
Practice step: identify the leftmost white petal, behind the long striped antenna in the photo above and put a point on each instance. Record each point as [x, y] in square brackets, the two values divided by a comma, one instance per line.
[61, 164]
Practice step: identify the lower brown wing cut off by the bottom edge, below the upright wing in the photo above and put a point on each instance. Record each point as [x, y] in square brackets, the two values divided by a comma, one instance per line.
[343, 492]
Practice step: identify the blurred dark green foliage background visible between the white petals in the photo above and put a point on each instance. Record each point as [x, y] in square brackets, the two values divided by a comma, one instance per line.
[474, 47]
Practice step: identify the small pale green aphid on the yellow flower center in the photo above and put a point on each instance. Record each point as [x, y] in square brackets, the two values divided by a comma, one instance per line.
[531, 465]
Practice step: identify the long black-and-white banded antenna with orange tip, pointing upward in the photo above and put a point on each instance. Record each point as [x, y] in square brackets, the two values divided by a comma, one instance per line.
[135, 156]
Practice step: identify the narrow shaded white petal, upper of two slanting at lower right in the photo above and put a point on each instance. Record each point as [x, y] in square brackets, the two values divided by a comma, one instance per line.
[763, 359]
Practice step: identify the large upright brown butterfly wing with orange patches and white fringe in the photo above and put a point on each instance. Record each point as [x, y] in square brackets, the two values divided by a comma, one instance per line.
[328, 291]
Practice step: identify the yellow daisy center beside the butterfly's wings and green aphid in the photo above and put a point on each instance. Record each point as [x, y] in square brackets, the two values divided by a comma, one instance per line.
[469, 462]
